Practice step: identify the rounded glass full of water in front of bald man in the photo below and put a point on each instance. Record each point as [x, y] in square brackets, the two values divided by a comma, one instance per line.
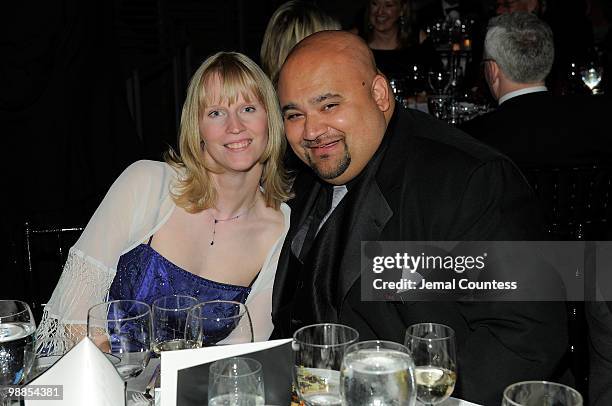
[377, 373]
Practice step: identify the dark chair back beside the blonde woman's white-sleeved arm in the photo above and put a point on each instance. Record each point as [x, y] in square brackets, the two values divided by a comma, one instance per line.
[45, 252]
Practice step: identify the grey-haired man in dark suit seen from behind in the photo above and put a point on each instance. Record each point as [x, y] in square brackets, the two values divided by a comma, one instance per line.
[532, 126]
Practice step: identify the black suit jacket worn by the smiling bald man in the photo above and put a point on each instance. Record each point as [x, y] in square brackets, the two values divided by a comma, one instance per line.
[436, 183]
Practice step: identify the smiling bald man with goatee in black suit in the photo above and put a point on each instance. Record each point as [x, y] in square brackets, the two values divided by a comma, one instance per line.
[383, 173]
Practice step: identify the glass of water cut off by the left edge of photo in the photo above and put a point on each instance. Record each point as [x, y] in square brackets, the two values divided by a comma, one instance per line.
[17, 328]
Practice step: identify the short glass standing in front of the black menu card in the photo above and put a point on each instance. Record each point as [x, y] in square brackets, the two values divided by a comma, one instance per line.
[236, 381]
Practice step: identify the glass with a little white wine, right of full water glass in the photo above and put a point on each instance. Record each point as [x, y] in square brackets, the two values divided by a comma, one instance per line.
[433, 349]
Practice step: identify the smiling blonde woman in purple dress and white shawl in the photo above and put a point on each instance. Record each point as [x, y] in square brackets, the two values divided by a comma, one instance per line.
[209, 222]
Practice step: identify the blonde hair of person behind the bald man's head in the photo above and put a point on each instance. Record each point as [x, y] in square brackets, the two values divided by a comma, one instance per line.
[290, 23]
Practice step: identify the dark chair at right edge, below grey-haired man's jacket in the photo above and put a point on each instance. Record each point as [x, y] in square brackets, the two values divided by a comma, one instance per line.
[576, 203]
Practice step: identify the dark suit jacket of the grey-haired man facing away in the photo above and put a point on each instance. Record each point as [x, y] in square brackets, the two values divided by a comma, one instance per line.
[539, 129]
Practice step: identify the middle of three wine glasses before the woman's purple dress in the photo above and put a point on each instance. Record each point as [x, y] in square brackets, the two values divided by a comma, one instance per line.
[169, 321]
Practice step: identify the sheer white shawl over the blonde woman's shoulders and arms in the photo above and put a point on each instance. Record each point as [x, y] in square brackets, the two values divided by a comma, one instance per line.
[135, 207]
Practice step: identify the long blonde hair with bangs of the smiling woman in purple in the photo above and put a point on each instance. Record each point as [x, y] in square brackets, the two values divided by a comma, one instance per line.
[239, 75]
